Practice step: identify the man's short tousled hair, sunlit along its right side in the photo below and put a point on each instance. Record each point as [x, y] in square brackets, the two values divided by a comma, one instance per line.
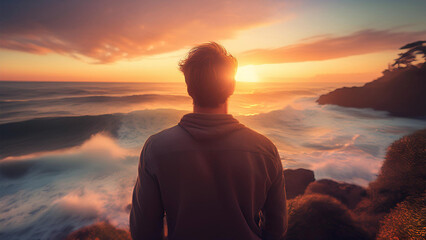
[209, 72]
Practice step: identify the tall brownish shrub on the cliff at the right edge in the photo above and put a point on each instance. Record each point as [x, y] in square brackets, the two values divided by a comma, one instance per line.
[403, 173]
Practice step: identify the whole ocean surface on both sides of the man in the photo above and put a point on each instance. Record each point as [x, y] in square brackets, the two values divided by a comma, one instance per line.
[69, 151]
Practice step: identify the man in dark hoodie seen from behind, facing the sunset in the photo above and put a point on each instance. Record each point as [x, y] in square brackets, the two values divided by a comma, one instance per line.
[211, 176]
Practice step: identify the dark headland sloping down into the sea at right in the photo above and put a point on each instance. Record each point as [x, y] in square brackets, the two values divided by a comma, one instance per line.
[401, 92]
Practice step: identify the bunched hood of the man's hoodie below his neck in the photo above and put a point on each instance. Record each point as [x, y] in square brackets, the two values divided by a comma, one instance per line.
[209, 126]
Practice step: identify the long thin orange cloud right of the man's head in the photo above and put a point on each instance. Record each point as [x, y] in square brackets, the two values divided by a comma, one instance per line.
[325, 47]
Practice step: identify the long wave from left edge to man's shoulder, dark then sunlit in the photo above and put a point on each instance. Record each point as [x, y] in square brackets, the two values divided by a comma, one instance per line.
[54, 133]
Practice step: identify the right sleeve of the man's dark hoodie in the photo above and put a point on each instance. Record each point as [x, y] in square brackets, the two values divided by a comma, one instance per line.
[275, 208]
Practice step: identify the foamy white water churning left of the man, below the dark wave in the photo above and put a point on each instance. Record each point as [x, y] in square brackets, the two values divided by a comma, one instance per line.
[46, 196]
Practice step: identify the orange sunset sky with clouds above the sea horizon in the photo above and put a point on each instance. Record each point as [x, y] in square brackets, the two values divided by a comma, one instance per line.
[127, 40]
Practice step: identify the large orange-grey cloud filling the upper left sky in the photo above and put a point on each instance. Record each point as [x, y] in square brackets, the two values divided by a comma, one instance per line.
[109, 30]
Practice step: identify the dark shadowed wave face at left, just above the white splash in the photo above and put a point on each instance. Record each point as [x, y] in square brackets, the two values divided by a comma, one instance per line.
[48, 134]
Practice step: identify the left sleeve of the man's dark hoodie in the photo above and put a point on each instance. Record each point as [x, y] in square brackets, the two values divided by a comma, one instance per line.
[146, 215]
